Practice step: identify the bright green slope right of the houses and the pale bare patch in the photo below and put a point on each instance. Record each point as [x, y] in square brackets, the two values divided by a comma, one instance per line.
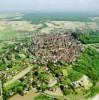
[88, 64]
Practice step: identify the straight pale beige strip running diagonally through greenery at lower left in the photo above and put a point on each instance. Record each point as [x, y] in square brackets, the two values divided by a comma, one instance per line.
[18, 76]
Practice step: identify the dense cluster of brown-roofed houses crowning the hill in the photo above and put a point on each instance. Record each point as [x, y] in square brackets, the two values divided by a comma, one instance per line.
[56, 47]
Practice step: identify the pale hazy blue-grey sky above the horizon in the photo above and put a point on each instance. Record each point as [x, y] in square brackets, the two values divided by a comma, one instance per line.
[50, 5]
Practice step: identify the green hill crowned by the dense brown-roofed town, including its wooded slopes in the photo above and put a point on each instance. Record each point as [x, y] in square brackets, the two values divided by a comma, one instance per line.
[51, 64]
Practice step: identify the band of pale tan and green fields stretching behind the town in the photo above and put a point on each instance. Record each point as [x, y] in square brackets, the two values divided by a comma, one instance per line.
[10, 30]
